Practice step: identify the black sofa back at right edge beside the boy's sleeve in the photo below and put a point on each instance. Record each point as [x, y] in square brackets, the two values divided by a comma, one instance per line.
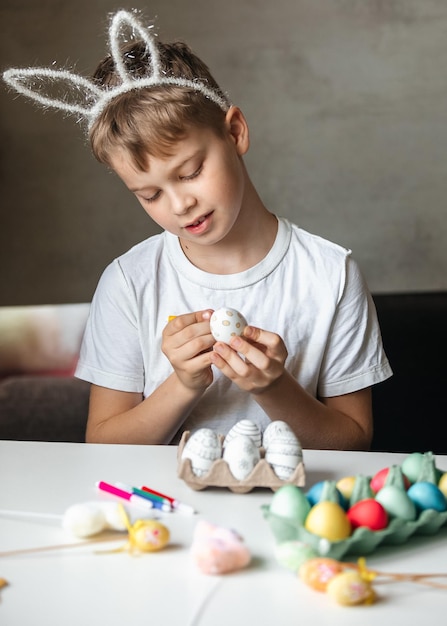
[409, 408]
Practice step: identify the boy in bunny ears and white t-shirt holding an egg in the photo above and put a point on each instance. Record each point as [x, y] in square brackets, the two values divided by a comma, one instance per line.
[313, 347]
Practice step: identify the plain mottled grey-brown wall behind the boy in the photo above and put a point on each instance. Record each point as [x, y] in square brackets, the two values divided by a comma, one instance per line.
[347, 103]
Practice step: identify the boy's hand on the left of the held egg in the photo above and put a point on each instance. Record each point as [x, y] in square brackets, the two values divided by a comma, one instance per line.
[186, 342]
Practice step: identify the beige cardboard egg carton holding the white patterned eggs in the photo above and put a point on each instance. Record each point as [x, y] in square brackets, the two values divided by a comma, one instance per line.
[219, 475]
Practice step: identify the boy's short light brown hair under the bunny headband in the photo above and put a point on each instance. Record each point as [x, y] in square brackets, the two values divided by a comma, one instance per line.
[149, 121]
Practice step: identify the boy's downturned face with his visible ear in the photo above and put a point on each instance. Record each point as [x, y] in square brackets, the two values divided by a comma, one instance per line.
[197, 193]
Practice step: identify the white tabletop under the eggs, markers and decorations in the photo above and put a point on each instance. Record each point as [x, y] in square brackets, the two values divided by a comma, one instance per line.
[80, 585]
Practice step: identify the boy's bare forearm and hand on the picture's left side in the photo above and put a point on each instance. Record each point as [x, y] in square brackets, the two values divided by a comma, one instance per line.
[125, 417]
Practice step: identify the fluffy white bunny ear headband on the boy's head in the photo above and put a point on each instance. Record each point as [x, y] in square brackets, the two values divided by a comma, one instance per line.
[82, 96]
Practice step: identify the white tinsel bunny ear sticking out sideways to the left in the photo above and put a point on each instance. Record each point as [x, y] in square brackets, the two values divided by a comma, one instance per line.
[59, 89]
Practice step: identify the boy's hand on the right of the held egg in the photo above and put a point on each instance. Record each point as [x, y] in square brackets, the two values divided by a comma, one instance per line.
[264, 357]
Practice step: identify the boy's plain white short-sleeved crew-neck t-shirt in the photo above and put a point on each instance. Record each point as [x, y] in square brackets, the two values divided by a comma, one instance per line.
[307, 289]
